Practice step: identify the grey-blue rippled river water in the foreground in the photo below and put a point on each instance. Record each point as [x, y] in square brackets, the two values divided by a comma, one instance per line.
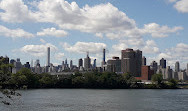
[99, 100]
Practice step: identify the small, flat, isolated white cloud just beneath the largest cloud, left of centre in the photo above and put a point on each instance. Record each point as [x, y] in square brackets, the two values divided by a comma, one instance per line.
[52, 32]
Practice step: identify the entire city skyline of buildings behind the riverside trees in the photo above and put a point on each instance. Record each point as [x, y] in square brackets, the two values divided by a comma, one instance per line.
[131, 61]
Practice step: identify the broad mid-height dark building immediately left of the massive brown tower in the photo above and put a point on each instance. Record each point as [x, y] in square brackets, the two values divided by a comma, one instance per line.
[114, 65]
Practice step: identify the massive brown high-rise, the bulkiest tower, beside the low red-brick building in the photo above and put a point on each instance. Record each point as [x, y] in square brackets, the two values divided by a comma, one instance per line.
[131, 62]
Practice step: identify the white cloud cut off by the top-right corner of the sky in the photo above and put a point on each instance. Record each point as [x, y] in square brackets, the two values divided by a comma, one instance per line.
[182, 6]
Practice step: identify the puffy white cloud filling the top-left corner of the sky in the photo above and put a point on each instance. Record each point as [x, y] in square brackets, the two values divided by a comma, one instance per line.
[15, 11]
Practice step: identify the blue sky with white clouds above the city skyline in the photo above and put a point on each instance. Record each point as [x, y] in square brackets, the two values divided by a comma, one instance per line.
[71, 28]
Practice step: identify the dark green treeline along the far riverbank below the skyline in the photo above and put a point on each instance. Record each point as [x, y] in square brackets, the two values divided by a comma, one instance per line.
[26, 79]
